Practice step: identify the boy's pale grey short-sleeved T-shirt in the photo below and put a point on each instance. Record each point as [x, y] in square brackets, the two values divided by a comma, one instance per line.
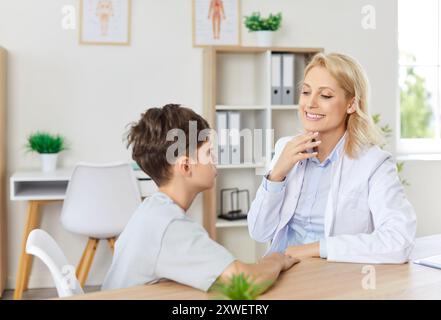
[161, 242]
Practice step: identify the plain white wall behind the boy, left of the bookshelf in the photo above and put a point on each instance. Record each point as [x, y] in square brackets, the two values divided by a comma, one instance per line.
[89, 94]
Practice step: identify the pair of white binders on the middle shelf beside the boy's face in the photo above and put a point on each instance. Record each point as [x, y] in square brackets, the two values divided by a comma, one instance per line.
[229, 143]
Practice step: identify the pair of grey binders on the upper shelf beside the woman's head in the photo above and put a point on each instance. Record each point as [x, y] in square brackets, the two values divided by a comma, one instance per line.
[283, 78]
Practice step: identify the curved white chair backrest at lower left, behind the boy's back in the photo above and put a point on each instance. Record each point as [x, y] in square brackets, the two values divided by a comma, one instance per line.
[43, 246]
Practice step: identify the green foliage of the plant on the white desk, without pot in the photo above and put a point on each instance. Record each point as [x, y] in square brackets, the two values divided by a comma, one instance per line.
[43, 142]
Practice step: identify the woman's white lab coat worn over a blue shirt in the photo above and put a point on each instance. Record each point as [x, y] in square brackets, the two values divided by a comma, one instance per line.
[367, 220]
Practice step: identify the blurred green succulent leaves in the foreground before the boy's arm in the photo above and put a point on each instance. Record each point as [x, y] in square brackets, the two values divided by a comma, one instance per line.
[238, 287]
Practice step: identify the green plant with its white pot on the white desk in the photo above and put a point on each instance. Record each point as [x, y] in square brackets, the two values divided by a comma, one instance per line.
[48, 146]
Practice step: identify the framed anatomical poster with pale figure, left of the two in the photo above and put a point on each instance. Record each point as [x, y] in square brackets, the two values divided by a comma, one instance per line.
[105, 22]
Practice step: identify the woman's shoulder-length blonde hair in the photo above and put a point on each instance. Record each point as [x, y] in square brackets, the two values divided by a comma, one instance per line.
[361, 130]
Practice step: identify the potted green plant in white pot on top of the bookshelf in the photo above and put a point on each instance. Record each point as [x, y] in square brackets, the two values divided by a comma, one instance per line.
[263, 27]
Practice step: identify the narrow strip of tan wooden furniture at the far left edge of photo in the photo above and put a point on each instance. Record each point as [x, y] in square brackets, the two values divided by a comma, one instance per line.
[3, 264]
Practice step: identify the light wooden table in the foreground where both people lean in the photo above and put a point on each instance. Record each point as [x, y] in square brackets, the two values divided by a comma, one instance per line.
[319, 279]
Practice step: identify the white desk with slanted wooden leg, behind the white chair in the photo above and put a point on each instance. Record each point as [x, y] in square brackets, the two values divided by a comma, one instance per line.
[39, 188]
